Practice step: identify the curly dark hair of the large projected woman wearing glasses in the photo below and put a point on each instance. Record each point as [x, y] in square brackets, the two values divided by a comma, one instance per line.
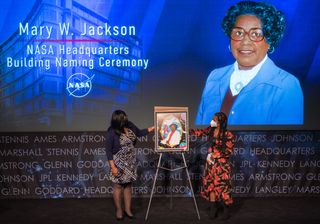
[273, 21]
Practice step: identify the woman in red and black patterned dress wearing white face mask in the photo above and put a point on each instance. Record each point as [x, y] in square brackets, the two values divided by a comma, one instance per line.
[216, 181]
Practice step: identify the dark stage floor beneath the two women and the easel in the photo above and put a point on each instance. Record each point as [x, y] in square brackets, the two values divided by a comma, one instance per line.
[95, 211]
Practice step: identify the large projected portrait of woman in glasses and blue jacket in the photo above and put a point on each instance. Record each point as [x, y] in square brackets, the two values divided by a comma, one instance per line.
[253, 90]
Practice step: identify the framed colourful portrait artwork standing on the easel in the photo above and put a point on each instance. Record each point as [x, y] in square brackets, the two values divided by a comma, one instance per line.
[171, 129]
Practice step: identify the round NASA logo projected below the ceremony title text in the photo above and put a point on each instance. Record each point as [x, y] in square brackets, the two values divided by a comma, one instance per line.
[79, 85]
